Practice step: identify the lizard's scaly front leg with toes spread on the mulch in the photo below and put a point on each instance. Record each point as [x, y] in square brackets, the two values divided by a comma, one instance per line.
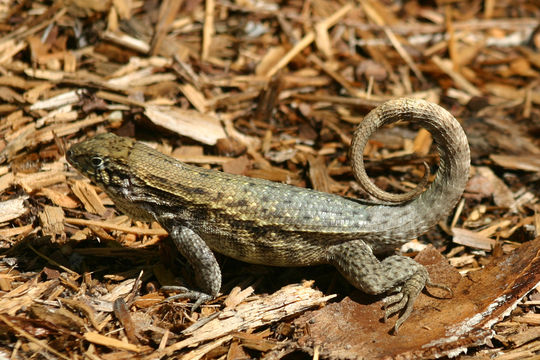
[202, 260]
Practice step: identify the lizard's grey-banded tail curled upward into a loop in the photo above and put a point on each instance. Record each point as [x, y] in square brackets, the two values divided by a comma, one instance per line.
[422, 209]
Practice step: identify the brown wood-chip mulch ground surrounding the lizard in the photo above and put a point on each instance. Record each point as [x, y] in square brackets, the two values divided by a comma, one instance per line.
[271, 90]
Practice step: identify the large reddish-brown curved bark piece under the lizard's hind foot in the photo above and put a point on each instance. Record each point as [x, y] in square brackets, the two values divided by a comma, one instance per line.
[437, 327]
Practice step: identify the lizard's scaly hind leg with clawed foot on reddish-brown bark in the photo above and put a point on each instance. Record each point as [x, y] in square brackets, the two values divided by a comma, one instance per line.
[397, 274]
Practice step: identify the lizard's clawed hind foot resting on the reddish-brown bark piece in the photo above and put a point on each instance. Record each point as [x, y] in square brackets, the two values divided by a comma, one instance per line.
[404, 299]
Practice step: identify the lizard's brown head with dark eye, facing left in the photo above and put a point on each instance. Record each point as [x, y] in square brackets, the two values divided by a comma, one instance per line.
[101, 158]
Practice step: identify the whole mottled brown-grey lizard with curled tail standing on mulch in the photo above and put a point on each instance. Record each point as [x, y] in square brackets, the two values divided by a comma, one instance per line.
[263, 222]
